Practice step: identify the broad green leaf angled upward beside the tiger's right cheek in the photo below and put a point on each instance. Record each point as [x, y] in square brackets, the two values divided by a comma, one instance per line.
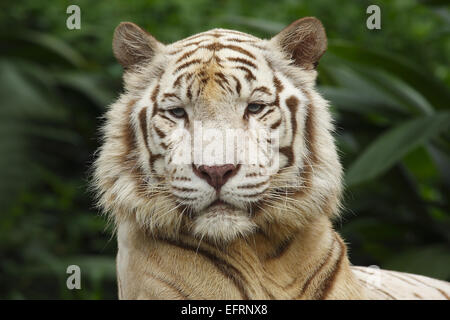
[394, 145]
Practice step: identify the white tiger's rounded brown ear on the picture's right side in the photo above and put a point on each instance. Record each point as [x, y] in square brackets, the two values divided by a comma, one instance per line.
[304, 41]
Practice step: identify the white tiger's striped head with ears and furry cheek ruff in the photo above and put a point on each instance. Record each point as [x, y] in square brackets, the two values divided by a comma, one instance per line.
[220, 134]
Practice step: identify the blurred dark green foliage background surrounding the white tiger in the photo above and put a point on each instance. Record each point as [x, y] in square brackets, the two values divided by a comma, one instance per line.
[389, 91]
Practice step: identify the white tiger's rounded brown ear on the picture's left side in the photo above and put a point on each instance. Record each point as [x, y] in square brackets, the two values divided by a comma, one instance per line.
[132, 45]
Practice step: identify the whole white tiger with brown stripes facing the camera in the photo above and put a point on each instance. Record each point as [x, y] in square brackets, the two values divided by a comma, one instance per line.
[219, 169]
